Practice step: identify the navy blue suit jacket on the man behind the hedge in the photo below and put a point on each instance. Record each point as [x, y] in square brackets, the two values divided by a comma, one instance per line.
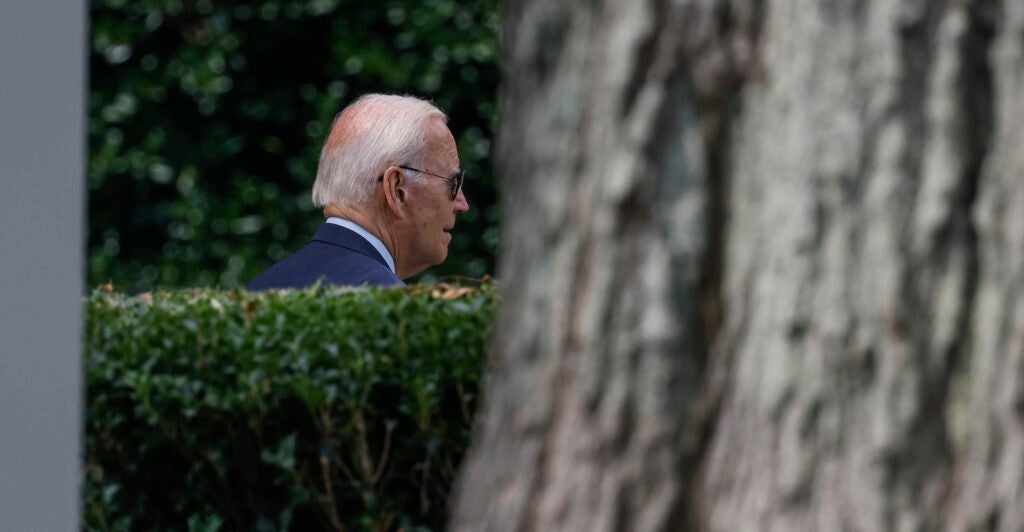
[336, 255]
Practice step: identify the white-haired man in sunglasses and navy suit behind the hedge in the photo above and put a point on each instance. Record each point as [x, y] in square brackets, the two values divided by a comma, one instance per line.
[391, 188]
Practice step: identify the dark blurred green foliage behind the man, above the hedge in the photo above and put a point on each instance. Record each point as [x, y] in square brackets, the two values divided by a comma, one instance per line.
[206, 121]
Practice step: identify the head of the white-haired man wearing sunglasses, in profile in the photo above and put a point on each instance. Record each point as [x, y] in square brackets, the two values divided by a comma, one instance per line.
[391, 165]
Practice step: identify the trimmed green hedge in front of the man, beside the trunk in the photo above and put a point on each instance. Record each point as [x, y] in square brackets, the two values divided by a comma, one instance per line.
[316, 410]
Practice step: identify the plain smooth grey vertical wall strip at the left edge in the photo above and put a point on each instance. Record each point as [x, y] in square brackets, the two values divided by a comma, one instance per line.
[42, 209]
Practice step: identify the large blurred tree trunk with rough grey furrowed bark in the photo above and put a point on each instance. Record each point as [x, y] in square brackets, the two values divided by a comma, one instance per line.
[763, 269]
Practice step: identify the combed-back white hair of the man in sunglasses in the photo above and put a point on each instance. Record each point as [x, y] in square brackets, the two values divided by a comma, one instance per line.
[373, 134]
